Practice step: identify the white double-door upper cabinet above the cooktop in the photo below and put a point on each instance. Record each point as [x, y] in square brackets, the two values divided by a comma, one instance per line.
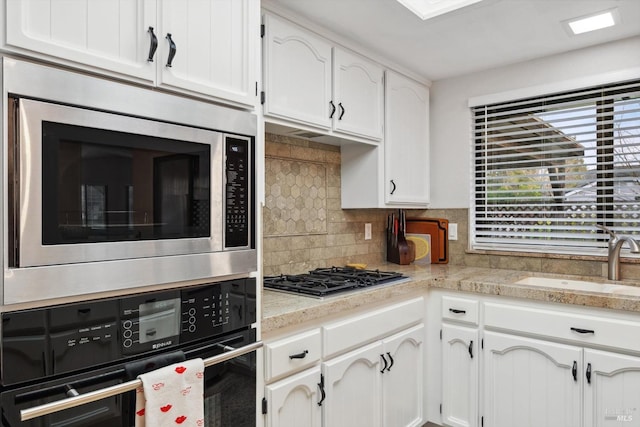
[311, 82]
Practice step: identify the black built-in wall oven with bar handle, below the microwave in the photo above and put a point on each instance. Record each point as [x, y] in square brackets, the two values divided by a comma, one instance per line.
[55, 352]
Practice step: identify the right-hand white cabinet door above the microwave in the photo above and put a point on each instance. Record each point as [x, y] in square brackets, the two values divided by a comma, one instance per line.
[216, 47]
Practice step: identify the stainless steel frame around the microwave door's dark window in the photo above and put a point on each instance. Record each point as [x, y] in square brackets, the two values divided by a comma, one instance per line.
[33, 253]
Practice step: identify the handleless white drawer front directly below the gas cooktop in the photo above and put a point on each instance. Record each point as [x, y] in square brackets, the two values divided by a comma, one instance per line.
[359, 330]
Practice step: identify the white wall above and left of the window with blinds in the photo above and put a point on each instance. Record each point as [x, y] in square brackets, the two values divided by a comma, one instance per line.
[450, 115]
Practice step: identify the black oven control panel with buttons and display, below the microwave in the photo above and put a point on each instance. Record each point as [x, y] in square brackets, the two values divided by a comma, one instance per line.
[48, 341]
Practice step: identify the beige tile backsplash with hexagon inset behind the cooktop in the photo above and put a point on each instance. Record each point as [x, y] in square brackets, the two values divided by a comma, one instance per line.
[304, 225]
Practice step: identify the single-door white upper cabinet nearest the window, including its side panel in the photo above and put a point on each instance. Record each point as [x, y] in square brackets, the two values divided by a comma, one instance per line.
[395, 173]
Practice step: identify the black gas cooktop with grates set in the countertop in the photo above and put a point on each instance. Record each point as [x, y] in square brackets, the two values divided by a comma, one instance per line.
[328, 281]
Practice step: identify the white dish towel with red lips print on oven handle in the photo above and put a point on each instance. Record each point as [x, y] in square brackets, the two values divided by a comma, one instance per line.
[172, 396]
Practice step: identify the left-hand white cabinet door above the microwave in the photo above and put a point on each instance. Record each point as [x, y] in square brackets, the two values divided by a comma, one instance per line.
[106, 34]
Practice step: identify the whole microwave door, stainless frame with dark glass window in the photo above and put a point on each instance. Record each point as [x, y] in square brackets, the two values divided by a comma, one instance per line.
[99, 186]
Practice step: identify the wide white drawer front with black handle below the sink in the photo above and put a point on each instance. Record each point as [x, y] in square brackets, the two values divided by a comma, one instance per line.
[583, 328]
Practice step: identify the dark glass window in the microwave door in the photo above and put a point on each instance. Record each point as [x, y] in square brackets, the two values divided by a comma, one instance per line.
[107, 186]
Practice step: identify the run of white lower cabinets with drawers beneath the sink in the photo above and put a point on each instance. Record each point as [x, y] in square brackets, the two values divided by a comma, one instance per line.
[537, 365]
